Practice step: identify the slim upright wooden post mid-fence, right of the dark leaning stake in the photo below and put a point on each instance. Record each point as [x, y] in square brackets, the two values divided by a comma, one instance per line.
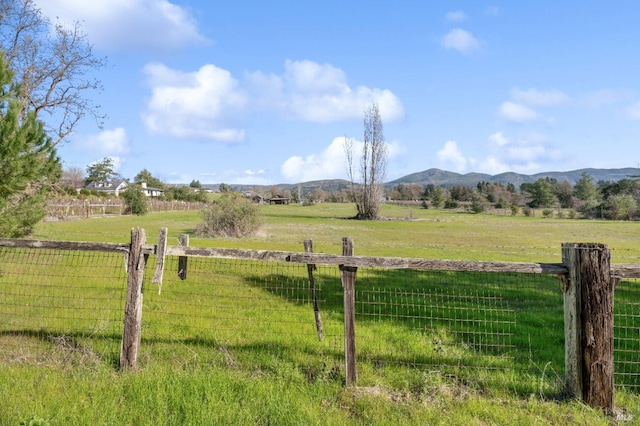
[348, 277]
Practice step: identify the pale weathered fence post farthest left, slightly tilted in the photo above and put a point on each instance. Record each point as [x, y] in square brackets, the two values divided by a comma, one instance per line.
[133, 305]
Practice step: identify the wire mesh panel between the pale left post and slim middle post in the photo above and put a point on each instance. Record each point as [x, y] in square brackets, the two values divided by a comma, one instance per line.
[232, 312]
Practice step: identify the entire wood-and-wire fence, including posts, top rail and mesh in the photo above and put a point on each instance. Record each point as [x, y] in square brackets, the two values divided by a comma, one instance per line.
[466, 313]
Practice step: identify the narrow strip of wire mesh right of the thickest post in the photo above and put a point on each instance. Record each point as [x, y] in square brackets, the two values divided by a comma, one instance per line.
[626, 334]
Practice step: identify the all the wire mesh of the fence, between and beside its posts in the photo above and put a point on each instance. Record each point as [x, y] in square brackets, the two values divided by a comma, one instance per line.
[67, 306]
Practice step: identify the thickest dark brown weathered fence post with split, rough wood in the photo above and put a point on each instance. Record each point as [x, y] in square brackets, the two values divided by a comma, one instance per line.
[588, 318]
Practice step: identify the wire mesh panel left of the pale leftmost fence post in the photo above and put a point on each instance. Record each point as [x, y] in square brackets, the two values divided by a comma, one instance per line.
[60, 305]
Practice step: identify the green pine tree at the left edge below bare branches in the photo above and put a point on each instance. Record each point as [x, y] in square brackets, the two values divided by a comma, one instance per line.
[28, 162]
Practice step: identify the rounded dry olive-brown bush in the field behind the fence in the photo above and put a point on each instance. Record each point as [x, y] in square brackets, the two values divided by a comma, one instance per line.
[231, 215]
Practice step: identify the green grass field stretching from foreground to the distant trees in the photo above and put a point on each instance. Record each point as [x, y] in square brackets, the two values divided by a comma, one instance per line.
[194, 373]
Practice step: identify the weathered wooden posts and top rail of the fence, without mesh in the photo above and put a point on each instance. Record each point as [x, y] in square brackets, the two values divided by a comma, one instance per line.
[587, 276]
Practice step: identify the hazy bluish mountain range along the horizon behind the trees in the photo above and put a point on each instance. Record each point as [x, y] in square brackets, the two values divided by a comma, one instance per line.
[448, 179]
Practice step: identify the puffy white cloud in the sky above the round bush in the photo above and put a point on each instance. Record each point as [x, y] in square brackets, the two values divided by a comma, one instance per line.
[197, 105]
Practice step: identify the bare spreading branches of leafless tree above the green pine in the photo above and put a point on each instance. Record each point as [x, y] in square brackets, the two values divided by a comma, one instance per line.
[52, 63]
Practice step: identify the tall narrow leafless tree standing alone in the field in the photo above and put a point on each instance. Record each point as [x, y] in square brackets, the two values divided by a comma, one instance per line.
[368, 193]
